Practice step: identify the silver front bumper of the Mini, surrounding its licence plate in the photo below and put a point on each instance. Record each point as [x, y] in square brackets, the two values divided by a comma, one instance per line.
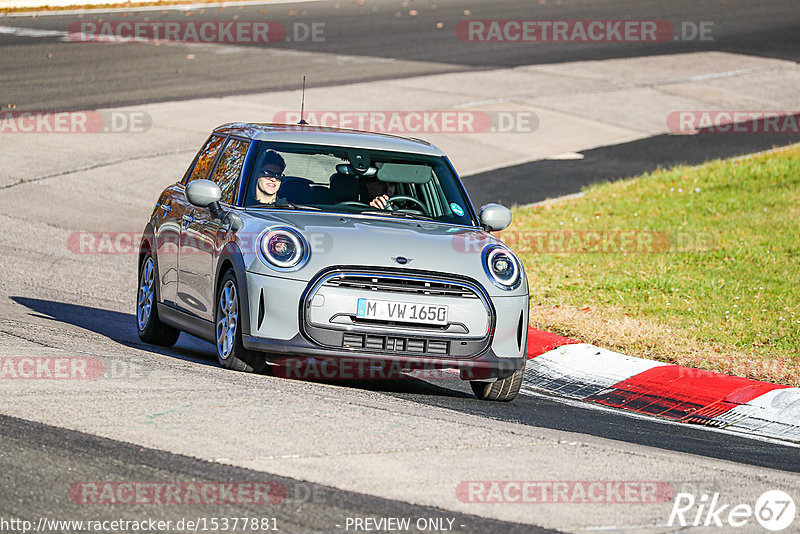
[487, 336]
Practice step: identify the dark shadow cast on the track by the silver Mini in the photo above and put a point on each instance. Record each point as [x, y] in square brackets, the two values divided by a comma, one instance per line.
[120, 327]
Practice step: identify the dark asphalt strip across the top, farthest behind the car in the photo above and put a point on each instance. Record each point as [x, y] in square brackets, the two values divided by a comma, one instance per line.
[42, 73]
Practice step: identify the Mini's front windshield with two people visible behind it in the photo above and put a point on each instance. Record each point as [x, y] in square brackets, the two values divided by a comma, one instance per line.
[346, 180]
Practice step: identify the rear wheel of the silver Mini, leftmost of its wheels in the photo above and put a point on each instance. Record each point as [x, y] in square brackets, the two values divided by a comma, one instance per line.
[149, 326]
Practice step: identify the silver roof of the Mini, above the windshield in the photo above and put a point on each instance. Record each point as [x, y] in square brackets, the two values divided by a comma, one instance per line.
[318, 135]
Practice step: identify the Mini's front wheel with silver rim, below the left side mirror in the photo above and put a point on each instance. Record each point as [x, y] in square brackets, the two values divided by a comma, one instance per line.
[230, 350]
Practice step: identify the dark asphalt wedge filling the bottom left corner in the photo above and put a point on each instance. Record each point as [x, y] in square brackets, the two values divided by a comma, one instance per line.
[61, 457]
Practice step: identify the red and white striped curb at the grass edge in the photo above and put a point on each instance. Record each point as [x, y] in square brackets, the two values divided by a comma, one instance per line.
[575, 370]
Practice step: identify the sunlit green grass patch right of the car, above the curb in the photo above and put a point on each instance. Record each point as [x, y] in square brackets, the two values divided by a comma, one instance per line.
[722, 276]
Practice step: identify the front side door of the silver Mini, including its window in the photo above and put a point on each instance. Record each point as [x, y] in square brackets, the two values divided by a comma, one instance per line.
[199, 235]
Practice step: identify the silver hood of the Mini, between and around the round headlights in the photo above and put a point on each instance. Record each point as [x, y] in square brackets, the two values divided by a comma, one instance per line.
[341, 239]
